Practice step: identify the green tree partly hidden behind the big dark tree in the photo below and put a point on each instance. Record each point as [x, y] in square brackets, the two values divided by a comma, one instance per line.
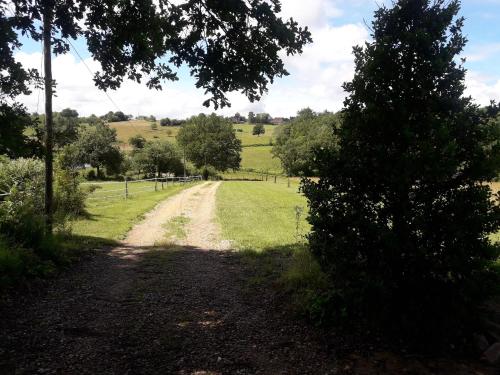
[296, 142]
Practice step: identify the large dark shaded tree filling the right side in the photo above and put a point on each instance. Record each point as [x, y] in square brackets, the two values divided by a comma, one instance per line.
[401, 215]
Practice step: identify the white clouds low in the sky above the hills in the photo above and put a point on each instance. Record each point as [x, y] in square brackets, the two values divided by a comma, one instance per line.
[315, 80]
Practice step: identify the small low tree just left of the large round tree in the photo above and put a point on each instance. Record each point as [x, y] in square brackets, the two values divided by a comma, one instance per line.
[159, 157]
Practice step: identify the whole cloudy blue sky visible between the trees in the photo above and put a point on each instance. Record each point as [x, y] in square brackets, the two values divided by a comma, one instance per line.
[315, 76]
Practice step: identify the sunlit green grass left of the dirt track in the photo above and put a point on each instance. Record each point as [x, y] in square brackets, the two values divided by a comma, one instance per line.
[112, 218]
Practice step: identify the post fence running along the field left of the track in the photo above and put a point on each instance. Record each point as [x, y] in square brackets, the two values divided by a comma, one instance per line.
[128, 188]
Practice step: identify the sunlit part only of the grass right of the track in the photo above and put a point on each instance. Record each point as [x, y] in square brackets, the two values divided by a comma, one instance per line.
[260, 215]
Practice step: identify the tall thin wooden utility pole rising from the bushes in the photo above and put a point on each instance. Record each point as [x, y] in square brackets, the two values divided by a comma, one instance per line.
[47, 62]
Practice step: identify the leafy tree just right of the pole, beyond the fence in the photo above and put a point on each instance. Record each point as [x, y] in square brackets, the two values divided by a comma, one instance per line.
[98, 147]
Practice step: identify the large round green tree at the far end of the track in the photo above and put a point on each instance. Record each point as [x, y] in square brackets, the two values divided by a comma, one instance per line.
[210, 141]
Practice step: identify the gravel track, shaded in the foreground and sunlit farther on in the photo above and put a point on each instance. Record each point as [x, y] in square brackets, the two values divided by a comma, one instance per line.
[187, 308]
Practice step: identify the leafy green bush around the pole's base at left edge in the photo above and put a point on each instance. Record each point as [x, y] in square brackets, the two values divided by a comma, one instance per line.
[26, 250]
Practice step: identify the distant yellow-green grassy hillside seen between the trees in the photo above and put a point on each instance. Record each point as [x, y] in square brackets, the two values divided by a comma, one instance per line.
[256, 153]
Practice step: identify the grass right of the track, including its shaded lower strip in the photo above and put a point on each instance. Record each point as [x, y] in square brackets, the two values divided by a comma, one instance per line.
[260, 219]
